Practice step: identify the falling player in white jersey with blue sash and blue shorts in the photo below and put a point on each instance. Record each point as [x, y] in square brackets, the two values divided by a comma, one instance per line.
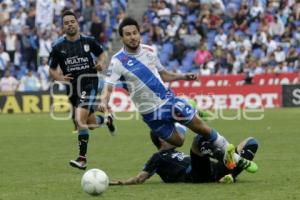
[139, 68]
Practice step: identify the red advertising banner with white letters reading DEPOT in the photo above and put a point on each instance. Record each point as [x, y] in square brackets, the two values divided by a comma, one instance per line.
[248, 96]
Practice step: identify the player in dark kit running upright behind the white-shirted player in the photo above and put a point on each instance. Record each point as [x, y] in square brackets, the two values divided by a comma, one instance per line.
[75, 54]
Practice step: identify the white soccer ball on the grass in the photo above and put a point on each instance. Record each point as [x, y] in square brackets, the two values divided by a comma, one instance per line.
[94, 181]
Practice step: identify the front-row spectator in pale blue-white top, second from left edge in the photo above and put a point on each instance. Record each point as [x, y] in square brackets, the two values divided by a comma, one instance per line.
[29, 83]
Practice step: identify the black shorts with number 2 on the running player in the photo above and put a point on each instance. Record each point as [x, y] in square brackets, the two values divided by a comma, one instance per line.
[84, 97]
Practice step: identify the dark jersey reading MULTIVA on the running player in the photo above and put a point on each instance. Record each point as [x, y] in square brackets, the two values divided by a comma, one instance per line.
[76, 57]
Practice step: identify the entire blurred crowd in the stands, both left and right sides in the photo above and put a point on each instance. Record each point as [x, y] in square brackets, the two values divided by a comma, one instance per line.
[203, 36]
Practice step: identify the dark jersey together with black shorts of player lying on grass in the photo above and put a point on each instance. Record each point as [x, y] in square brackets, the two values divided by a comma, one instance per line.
[174, 166]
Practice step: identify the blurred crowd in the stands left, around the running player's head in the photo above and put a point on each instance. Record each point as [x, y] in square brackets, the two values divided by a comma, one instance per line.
[25, 47]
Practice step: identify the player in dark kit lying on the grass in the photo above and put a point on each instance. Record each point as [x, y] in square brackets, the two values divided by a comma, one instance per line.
[198, 167]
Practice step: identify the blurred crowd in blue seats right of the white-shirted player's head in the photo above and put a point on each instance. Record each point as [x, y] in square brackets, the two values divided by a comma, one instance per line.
[225, 36]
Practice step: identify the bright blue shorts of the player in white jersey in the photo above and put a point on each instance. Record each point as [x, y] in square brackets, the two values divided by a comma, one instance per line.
[162, 120]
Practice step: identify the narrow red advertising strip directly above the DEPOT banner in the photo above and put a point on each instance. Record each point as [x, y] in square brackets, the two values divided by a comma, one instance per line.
[238, 80]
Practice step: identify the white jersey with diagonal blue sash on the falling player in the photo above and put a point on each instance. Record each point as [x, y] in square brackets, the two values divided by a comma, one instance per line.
[140, 75]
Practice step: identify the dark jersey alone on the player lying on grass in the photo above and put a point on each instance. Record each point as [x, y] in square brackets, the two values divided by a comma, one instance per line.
[170, 165]
